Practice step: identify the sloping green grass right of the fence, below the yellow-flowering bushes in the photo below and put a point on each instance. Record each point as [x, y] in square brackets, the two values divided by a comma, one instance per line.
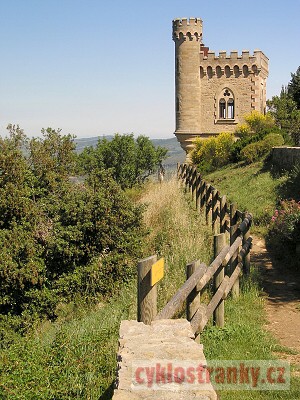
[252, 187]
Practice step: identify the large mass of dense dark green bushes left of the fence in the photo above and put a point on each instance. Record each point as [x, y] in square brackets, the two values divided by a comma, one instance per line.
[59, 238]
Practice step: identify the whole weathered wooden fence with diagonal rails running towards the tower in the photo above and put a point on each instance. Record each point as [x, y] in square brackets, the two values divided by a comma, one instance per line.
[230, 260]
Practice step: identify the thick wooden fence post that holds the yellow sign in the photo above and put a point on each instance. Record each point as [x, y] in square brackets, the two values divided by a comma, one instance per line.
[147, 294]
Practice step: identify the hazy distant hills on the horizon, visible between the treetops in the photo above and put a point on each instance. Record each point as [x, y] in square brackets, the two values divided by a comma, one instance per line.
[175, 152]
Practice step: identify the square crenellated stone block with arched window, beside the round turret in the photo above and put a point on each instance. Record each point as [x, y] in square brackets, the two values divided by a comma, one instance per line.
[245, 75]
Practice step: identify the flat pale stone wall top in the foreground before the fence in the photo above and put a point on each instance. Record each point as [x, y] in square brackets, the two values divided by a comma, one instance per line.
[167, 348]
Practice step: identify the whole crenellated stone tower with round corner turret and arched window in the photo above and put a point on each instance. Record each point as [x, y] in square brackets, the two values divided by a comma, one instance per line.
[213, 92]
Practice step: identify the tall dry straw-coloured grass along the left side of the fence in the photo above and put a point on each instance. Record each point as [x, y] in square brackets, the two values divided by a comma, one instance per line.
[175, 232]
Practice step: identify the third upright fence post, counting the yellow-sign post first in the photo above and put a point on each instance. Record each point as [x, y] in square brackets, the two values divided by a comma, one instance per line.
[219, 244]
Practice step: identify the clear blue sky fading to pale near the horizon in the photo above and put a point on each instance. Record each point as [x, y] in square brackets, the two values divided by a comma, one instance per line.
[95, 67]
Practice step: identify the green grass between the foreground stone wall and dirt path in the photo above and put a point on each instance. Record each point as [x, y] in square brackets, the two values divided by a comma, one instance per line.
[244, 338]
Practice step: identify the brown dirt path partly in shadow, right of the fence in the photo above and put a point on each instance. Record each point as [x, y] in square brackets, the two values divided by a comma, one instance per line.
[282, 289]
